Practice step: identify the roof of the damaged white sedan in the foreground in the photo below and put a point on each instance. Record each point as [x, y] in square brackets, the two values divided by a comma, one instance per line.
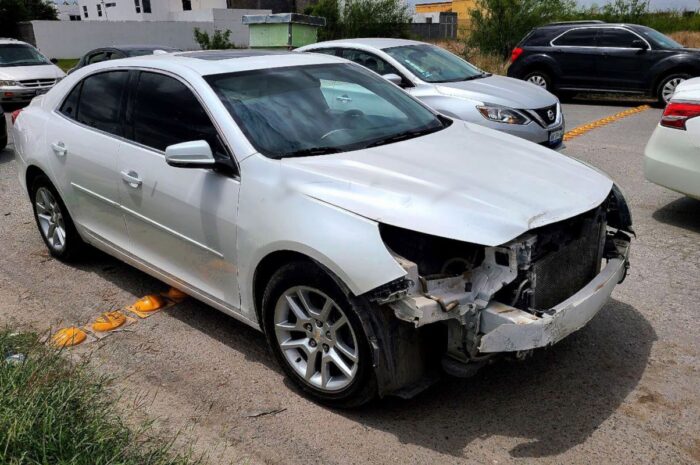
[219, 61]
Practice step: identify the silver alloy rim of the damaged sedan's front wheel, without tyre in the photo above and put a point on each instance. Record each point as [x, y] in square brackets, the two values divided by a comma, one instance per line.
[316, 338]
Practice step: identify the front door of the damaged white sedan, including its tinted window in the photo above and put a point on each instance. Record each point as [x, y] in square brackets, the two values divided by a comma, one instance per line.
[180, 220]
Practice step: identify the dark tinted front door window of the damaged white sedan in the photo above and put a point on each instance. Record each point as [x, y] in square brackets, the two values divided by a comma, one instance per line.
[166, 112]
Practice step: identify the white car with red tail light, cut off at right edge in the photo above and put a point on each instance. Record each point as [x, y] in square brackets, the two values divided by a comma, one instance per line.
[672, 156]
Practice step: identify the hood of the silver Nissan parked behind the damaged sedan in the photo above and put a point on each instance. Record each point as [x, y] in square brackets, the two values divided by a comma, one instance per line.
[500, 90]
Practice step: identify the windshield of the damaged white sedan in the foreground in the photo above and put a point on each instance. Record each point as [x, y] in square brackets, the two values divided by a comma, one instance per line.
[320, 109]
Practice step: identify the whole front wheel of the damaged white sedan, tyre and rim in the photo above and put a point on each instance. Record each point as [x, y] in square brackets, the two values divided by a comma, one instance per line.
[315, 333]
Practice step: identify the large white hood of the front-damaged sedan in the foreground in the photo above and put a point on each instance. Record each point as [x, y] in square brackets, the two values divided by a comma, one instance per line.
[465, 182]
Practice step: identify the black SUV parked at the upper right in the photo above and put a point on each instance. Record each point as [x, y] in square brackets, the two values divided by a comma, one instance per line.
[594, 56]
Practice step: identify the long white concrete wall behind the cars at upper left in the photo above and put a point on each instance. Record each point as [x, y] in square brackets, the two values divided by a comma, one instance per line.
[72, 39]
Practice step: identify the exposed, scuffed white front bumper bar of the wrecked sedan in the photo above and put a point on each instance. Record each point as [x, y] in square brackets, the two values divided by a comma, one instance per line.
[508, 329]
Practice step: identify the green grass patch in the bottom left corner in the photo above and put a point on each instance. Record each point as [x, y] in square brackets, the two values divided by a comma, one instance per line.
[54, 412]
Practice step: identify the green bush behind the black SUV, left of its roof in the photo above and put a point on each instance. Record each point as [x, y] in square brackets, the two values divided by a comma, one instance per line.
[498, 25]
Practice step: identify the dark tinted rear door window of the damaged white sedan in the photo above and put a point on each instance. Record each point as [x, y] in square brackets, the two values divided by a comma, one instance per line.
[101, 101]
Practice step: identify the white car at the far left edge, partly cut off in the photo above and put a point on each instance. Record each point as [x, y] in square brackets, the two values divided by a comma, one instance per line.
[24, 72]
